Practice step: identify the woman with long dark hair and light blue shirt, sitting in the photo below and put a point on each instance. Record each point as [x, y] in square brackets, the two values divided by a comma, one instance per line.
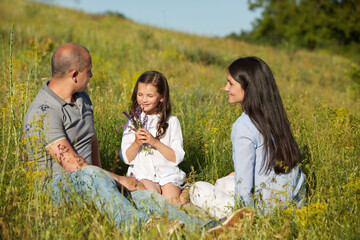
[265, 154]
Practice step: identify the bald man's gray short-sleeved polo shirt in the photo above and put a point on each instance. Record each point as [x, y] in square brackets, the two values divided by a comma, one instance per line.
[49, 119]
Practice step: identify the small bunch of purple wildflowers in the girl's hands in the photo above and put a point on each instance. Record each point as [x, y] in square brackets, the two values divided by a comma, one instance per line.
[137, 123]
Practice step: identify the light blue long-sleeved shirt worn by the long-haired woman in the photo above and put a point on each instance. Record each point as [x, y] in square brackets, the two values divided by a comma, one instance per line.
[253, 187]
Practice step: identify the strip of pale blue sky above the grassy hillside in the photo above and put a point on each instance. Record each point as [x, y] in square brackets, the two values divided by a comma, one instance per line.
[202, 17]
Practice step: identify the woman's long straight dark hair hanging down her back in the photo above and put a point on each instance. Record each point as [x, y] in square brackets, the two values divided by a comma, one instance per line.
[263, 104]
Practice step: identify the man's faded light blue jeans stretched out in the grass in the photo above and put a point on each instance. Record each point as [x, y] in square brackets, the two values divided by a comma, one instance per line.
[93, 184]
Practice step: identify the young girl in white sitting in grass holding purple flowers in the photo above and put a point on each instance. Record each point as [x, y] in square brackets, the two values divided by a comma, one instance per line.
[158, 168]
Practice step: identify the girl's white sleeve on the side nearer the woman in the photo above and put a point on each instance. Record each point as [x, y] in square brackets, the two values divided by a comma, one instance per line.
[176, 139]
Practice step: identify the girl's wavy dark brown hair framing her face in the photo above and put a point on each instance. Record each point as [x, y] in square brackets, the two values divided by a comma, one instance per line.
[159, 81]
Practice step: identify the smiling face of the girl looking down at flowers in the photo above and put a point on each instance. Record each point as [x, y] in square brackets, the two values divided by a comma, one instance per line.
[148, 98]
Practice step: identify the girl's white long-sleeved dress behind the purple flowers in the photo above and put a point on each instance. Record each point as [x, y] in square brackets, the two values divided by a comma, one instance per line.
[153, 165]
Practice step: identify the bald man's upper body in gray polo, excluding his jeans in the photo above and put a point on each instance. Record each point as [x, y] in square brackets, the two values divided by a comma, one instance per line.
[66, 112]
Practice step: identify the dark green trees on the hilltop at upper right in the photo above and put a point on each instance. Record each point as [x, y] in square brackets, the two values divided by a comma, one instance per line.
[307, 23]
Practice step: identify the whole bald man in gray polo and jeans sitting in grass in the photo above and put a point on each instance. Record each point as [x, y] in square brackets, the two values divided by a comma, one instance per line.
[60, 137]
